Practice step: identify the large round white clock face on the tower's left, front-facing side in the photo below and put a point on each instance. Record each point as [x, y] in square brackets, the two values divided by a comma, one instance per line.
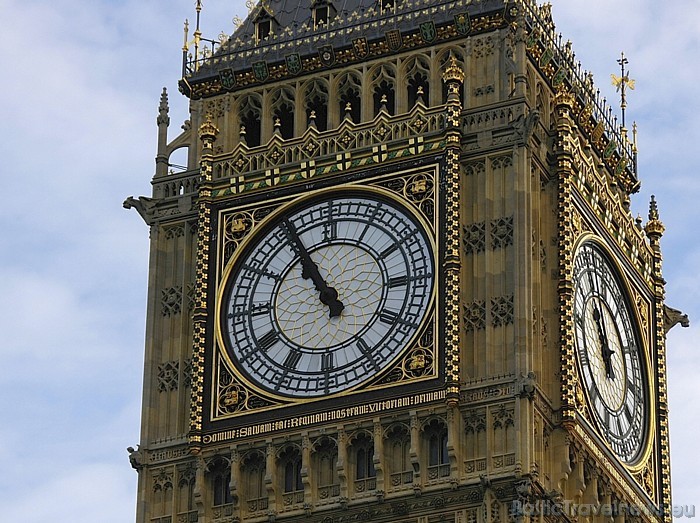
[328, 294]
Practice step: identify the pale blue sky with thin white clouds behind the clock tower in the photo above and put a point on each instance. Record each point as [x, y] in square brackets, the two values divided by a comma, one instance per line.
[80, 90]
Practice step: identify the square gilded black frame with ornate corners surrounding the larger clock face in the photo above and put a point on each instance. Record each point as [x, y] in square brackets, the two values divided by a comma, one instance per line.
[415, 189]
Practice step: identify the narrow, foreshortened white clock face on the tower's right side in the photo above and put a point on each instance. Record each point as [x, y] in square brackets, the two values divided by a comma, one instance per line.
[609, 353]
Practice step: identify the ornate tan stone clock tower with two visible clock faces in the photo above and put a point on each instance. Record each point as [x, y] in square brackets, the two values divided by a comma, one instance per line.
[398, 278]
